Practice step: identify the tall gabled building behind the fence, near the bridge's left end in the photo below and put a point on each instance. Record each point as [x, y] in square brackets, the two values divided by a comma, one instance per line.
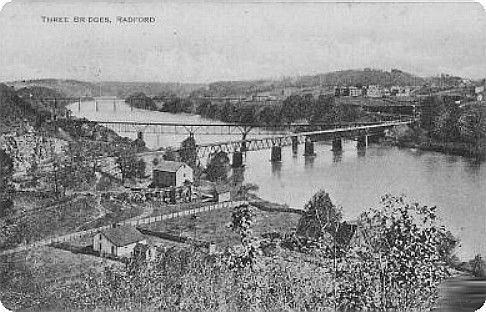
[172, 173]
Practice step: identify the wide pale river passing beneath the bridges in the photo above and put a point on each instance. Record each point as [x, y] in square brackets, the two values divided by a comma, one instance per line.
[354, 179]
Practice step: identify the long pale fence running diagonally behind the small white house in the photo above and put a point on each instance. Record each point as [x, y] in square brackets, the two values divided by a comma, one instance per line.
[148, 220]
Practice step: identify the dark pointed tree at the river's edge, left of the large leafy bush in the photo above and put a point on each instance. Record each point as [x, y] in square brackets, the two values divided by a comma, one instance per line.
[321, 217]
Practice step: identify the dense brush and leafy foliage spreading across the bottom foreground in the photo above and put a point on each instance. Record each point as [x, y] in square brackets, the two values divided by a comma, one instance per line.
[395, 261]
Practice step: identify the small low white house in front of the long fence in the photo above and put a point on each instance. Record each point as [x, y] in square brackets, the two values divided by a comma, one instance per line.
[118, 241]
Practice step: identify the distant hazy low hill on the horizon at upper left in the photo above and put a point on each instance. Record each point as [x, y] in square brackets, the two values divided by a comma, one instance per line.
[76, 88]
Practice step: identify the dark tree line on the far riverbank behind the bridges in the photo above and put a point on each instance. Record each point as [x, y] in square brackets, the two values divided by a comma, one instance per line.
[294, 108]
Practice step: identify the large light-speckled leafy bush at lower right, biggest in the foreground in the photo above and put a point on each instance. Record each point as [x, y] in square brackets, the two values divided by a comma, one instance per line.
[398, 261]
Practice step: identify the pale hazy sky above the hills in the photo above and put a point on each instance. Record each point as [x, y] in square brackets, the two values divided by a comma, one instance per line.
[205, 41]
